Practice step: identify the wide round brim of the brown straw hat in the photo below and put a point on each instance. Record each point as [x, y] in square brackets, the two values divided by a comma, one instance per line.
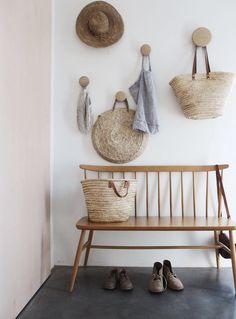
[116, 25]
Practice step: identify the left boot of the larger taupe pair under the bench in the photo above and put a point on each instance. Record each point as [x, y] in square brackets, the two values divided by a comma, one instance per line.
[157, 282]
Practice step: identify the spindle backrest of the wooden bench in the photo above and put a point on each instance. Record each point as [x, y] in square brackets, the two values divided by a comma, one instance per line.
[164, 192]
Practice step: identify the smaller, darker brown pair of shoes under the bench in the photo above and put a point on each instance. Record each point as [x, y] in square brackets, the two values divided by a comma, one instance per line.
[118, 277]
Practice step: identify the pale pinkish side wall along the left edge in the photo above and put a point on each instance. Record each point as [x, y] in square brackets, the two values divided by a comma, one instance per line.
[25, 46]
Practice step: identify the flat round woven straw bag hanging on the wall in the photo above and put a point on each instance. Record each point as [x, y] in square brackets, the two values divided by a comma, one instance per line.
[114, 139]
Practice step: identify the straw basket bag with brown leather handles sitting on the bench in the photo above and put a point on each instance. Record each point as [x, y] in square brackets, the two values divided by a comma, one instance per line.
[109, 200]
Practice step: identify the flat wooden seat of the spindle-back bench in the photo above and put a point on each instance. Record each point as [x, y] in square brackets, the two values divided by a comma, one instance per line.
[161, 223]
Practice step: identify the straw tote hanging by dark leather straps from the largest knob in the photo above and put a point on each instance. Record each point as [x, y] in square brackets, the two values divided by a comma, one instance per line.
[202, 96]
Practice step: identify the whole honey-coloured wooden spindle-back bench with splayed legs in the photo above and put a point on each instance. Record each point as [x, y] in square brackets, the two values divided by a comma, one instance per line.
[160, 223]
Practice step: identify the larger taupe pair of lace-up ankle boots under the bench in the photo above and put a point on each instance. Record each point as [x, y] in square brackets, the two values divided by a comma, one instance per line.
[163, 277]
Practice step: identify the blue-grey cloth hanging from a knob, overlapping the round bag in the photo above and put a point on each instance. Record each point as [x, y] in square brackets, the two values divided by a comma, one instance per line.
[143, 92]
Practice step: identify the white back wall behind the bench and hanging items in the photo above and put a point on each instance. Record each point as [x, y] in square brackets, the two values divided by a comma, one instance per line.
[167, 26]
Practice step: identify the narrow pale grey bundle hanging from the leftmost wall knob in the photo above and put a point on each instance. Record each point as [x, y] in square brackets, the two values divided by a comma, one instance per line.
[84, 112]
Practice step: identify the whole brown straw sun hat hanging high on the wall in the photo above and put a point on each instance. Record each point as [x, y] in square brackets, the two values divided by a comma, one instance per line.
[99, 24]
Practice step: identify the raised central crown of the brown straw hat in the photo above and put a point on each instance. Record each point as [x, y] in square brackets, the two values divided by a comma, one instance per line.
[98, 23]
